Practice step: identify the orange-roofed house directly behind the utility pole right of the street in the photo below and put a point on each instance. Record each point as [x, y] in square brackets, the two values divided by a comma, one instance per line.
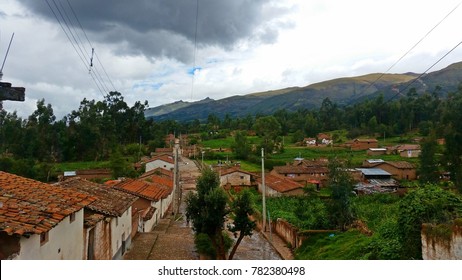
[277, 186]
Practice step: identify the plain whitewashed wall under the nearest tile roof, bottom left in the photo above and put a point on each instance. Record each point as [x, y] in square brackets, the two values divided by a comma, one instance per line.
[65, 242]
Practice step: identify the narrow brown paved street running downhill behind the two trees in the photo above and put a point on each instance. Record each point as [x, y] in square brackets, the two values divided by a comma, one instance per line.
[173, 238]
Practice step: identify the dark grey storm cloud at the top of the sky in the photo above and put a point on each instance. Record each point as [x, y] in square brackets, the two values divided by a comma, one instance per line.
[167, 27]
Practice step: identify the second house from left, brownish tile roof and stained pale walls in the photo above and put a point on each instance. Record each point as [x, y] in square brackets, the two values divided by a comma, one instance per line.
[107, 220]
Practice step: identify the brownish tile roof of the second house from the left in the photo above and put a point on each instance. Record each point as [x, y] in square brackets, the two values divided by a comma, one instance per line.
[109, 201]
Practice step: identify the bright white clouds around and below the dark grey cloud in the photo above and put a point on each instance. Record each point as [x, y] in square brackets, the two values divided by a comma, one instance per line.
[310, 41]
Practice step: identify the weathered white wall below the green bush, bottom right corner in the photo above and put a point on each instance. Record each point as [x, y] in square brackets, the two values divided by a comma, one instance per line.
[442, 248]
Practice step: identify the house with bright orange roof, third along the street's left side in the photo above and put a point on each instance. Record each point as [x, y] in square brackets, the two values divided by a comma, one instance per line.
[154, 199]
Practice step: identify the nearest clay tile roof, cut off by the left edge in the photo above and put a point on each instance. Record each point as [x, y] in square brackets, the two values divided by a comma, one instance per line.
[28, 206]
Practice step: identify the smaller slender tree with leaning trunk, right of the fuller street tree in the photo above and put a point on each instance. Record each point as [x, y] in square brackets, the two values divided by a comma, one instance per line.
[242, 208]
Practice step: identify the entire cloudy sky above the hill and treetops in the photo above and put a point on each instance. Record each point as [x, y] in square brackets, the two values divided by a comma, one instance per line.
[150, 50]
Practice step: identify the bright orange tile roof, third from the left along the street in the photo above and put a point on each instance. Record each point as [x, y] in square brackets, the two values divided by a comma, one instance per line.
[141, 188]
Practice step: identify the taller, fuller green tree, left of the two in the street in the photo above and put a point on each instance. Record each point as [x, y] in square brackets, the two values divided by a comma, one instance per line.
[207, 210]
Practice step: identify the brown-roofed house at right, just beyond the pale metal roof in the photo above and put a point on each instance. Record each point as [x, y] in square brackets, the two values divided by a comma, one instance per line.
[400, 170]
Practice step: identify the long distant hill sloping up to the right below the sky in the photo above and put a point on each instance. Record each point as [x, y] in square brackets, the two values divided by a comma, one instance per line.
[343, 91]
